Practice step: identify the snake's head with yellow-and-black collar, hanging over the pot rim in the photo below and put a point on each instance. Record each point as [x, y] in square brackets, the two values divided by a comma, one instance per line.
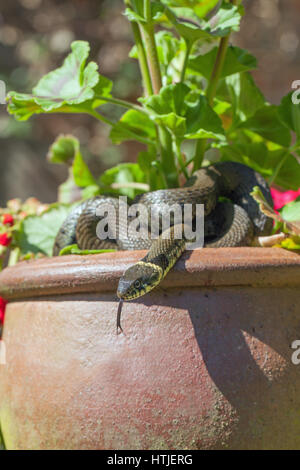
[138, 280]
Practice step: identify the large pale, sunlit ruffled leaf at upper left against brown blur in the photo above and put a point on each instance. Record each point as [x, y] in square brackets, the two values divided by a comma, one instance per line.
[71, 88]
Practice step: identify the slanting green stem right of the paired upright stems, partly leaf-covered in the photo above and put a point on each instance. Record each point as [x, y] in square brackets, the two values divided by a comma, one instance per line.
[211, 92]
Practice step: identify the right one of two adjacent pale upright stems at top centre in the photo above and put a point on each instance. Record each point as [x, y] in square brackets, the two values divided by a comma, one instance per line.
[151, 50]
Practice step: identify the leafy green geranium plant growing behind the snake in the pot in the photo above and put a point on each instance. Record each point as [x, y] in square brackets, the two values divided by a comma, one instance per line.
[198, 89]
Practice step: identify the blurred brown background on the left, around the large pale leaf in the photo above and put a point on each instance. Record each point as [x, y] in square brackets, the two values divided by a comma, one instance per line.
[34, 38]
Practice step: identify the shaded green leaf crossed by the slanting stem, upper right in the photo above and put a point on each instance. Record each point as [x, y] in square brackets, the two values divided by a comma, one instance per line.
[236, 60]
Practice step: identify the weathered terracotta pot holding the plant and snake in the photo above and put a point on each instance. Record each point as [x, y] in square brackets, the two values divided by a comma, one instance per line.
[204, 362]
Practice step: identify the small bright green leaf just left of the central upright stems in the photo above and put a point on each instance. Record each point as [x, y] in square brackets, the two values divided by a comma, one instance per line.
[134, 125]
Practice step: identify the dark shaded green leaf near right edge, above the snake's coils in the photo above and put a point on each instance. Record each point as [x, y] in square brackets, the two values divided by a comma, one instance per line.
[266, 123]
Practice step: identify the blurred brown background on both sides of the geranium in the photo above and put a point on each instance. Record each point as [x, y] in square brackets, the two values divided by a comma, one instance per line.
[35, 36]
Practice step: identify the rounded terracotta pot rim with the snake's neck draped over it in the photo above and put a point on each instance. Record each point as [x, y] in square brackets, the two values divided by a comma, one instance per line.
[206, 267]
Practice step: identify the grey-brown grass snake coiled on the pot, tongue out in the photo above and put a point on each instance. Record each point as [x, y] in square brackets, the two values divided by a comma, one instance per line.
[232, 218]
